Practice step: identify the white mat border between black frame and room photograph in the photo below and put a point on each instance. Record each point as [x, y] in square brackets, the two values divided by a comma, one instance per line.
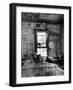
[65, 77]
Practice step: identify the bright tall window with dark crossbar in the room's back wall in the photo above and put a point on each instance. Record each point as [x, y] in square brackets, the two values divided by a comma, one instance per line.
[41, 43]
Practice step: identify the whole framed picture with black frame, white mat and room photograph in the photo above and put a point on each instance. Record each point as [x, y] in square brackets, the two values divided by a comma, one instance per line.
[40, 44]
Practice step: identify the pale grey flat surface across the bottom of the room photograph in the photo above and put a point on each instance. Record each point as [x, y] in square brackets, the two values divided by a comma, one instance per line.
[41, 69]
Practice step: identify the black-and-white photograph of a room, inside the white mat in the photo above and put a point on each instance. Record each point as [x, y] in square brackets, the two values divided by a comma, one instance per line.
[42, 44]
